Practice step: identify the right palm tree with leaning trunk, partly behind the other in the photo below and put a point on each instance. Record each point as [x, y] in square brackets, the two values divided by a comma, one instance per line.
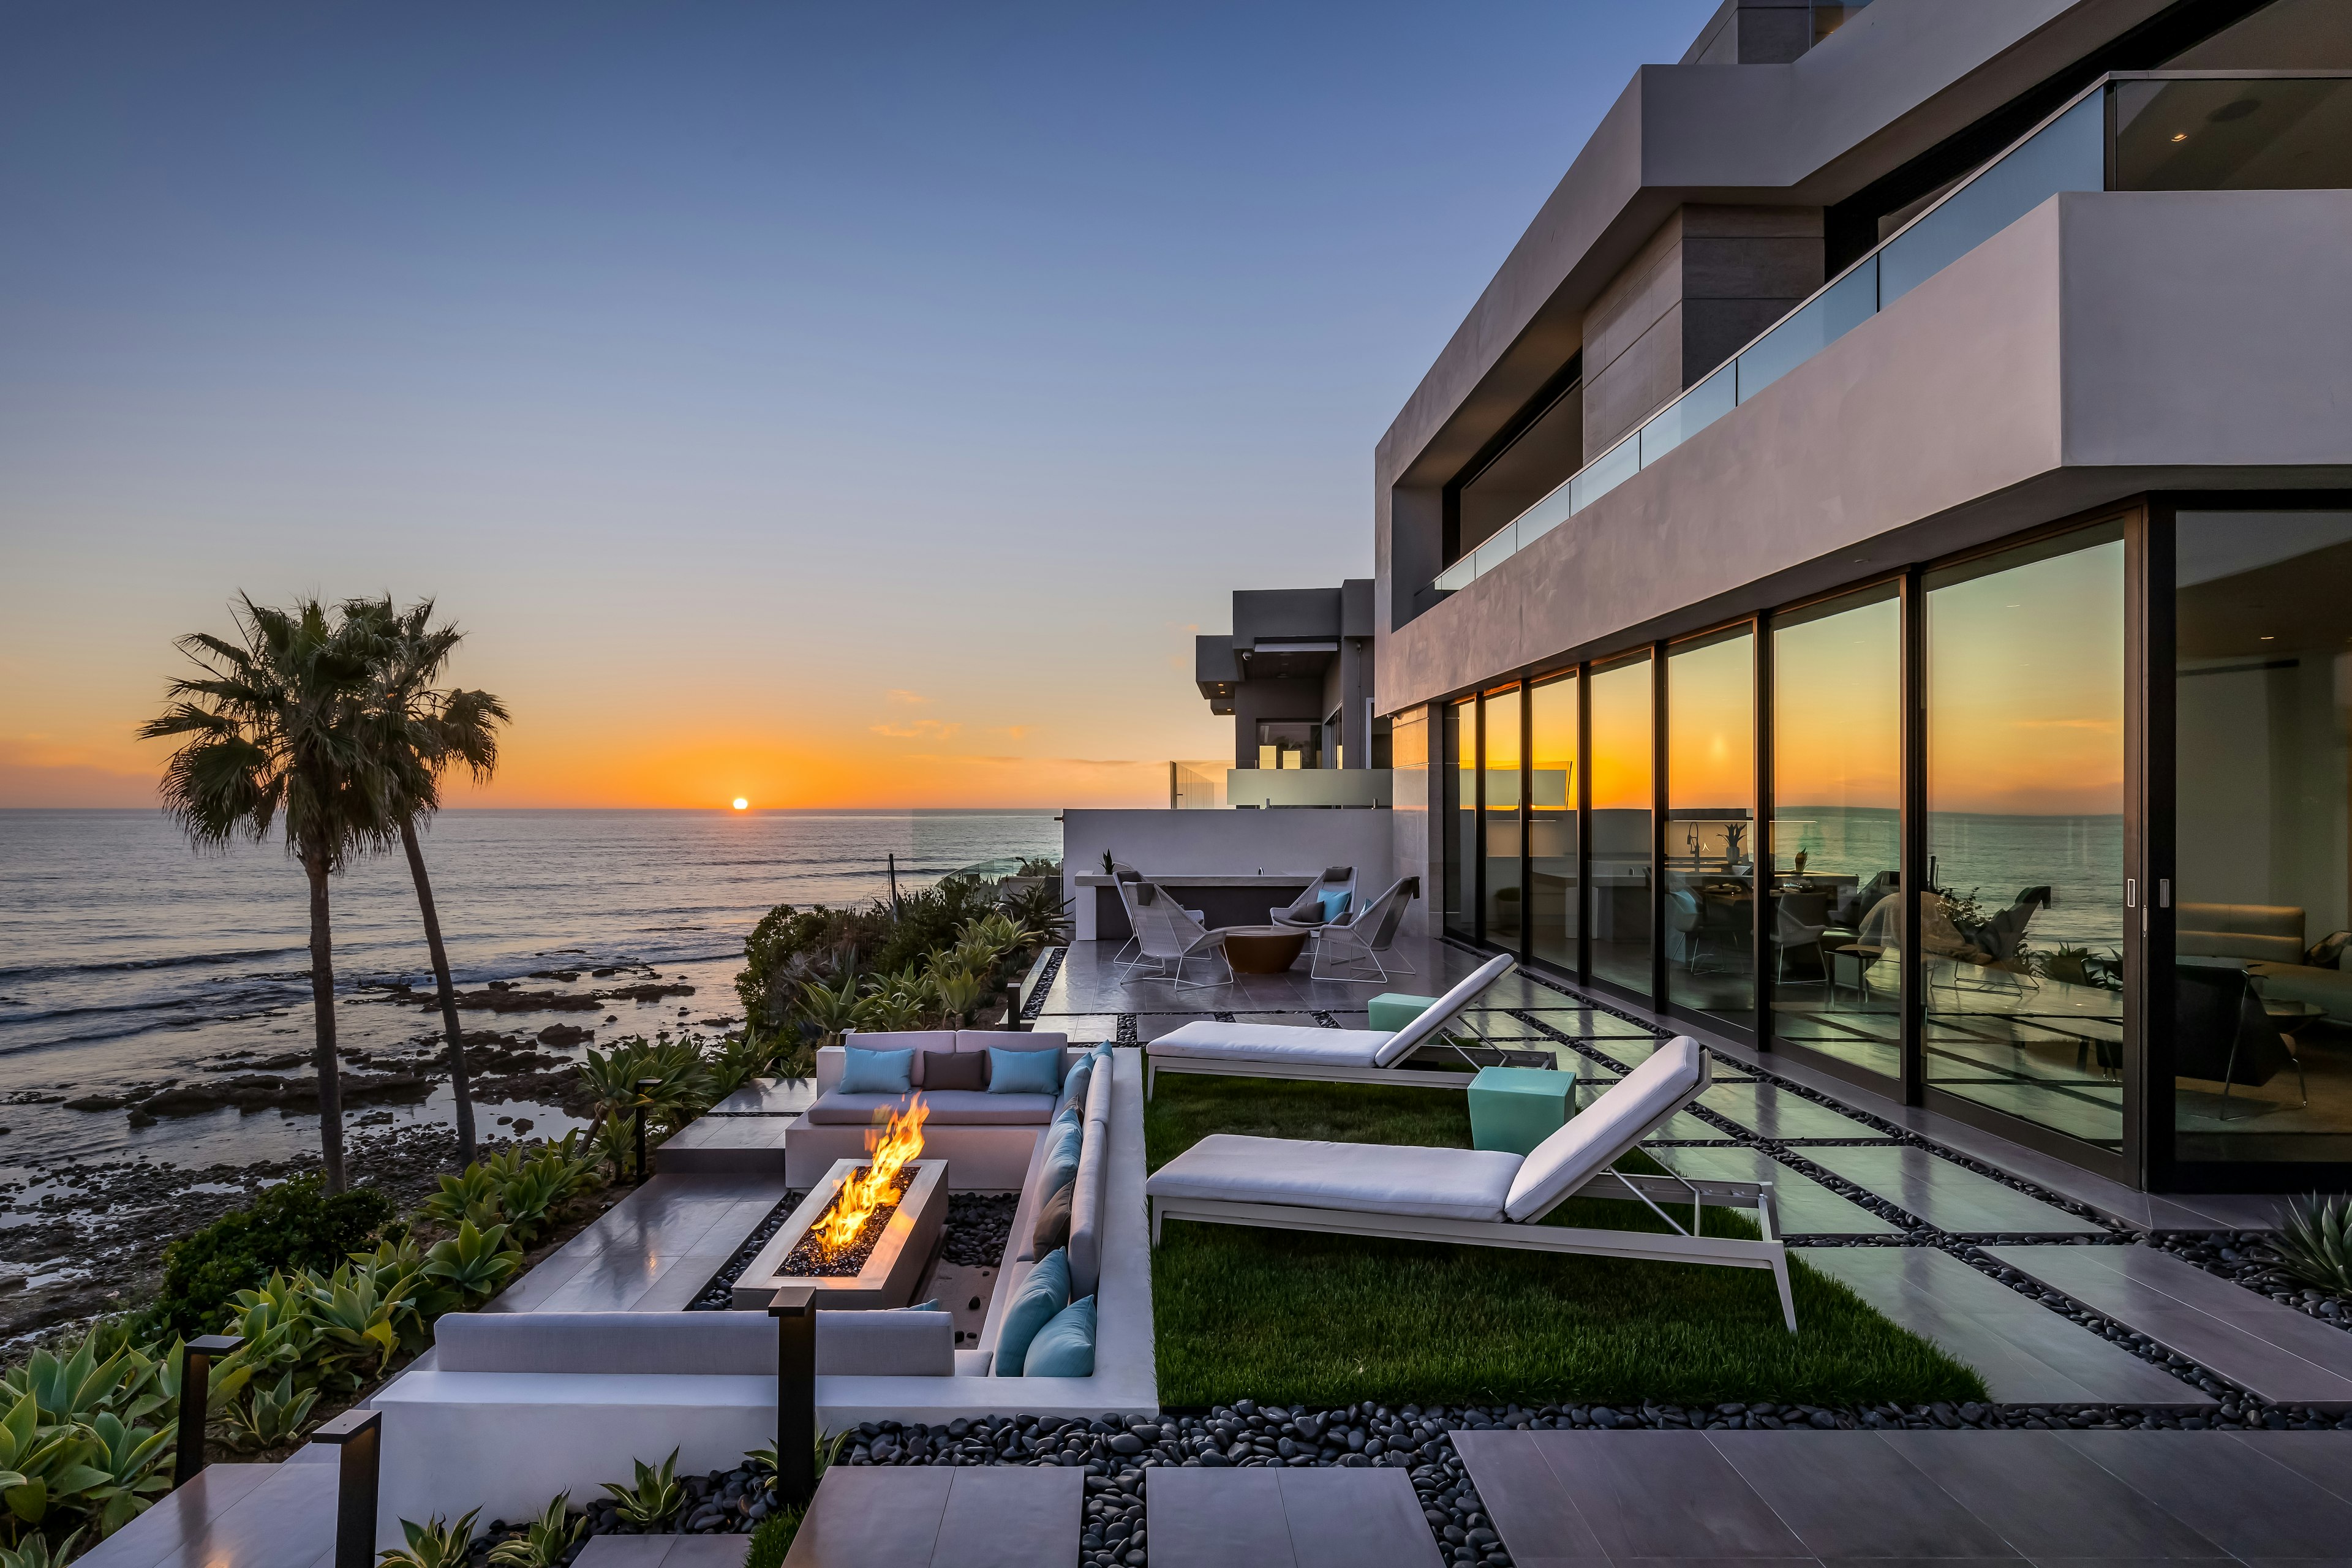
[417, 735]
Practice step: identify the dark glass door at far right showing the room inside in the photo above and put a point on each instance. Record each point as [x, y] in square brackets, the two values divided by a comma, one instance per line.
[2259, 993]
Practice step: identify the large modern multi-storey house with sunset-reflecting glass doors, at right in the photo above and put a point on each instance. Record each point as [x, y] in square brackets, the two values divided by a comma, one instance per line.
[1871, 577]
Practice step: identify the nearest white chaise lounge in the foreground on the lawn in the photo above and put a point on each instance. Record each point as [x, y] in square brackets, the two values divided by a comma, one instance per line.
[1483, 1198]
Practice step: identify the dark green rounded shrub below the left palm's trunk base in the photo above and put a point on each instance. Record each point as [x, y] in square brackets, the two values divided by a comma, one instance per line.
[295, 1226]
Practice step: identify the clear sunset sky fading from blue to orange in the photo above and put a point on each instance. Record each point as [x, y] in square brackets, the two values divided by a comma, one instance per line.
[817, 406]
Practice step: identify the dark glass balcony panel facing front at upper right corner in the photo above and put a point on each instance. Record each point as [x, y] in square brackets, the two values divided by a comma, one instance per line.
[2233, 135]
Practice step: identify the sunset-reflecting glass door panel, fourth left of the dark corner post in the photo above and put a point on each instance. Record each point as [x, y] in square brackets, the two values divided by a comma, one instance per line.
[1619, 890]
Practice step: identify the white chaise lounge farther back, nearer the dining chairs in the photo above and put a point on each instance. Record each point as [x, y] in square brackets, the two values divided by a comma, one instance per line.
[1328, 1057]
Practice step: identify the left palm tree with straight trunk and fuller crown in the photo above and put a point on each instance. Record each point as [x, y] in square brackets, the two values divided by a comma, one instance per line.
[276, 739]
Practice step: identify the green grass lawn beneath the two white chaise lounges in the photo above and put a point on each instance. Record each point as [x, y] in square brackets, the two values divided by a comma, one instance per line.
[1295, 1318]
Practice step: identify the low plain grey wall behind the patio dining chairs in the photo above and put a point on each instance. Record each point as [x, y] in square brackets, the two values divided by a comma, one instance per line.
[1229, 843]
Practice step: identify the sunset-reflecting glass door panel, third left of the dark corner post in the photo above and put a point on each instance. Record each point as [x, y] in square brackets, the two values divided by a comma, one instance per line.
[1709, 871]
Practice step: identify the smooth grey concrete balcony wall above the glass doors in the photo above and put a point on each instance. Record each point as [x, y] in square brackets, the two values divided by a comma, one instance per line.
[2102, 347]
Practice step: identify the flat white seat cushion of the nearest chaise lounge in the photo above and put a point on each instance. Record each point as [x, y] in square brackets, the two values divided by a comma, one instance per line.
[1356, 1177]
